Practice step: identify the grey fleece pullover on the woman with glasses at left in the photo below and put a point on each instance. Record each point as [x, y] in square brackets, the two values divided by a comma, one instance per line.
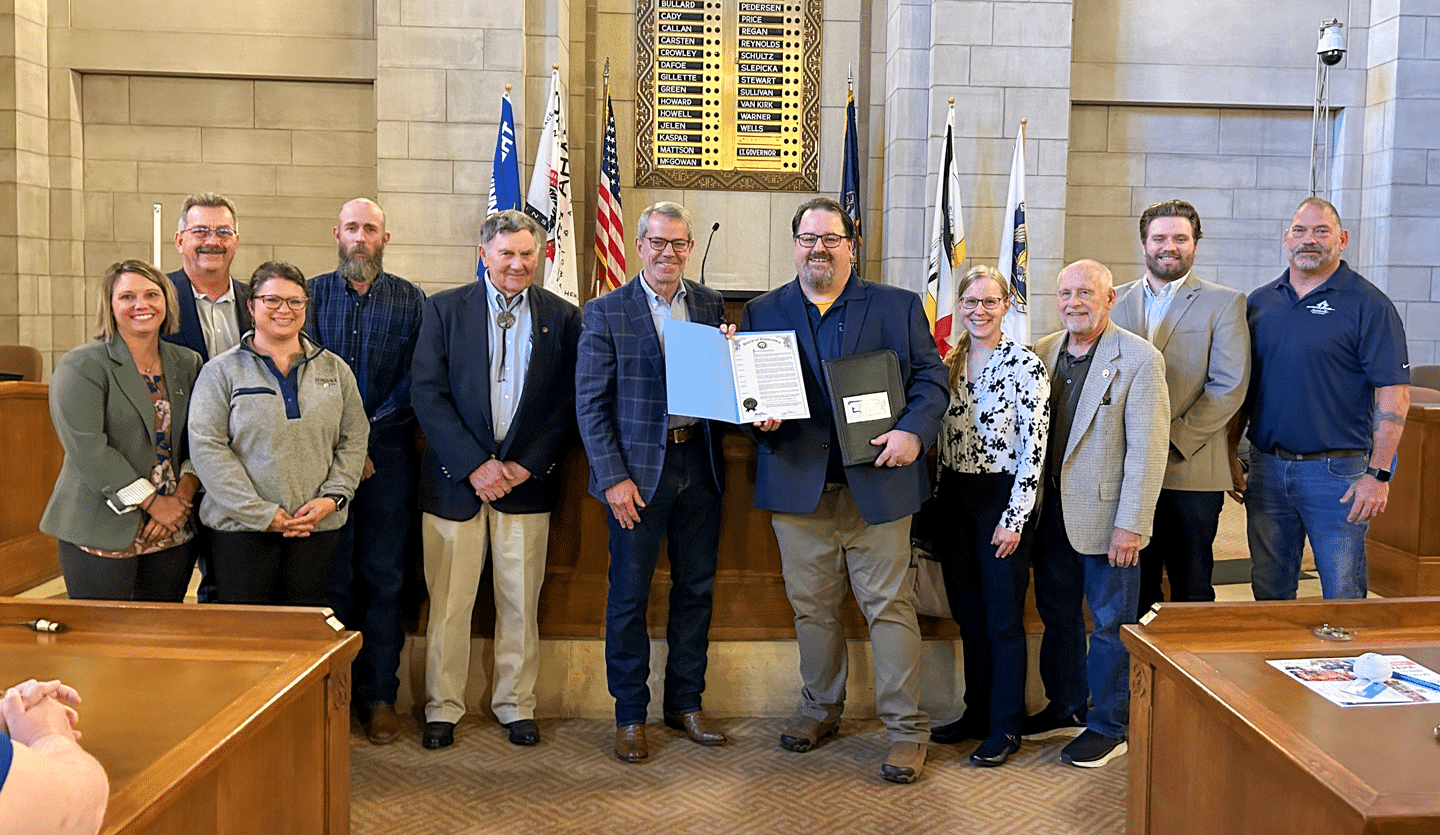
[256, 450]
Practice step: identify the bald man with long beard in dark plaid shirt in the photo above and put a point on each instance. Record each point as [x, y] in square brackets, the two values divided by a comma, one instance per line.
[372, 320]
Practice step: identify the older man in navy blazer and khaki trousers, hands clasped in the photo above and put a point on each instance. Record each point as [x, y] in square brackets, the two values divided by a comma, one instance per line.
[493, 389]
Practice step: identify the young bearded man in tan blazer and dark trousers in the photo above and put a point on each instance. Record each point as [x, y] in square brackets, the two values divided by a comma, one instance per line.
[1200, 328]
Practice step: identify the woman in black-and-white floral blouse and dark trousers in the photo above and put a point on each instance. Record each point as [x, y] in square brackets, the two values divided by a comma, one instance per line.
[993, 453]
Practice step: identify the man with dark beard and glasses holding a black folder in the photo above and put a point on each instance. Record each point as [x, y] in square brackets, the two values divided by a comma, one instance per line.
[832, 520]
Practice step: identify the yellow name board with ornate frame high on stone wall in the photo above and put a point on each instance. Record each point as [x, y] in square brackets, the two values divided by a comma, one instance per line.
[728, 94]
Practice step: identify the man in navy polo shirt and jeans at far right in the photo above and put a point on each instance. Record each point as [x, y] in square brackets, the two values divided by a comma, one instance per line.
[1328, 397]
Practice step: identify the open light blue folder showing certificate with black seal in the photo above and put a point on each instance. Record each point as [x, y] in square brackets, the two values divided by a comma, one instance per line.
[750, 378]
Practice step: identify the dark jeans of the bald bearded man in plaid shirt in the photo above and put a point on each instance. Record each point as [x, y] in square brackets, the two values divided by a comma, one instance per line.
[369, 567]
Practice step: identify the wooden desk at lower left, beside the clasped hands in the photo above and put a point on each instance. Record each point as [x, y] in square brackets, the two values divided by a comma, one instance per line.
[208, 719]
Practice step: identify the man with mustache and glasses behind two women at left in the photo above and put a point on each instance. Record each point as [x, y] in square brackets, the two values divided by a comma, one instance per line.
[214, 307]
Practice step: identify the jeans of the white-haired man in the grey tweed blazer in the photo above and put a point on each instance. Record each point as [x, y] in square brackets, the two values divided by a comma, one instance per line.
[1063, 579]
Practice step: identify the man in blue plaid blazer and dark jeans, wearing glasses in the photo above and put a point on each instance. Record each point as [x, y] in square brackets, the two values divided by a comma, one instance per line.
[660, 476]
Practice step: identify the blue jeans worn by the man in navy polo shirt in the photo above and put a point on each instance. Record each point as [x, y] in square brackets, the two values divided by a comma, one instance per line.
[1291, 500]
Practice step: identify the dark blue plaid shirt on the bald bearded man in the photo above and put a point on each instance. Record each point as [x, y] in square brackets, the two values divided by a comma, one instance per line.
[375, 335]
